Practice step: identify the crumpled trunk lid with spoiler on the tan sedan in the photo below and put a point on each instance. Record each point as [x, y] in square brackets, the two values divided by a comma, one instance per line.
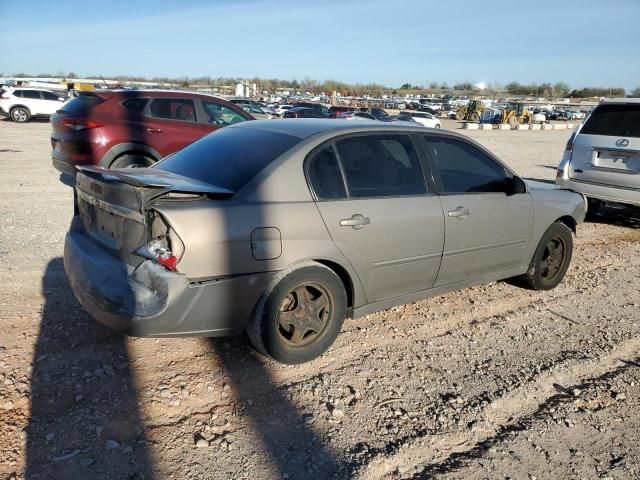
[116, 208]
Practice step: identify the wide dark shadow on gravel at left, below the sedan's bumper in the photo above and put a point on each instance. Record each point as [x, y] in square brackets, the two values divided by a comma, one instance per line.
[84, 421]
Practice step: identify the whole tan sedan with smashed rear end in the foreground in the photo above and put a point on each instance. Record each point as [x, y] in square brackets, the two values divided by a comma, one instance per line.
[326, 220]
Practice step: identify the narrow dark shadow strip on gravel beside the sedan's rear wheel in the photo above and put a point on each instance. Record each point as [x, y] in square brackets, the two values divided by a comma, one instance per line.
[285, 430]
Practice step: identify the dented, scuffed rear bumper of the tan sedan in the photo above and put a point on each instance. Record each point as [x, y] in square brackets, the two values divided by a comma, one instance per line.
[149, 300]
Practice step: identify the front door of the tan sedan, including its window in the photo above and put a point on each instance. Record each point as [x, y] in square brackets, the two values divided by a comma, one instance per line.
[487, 227]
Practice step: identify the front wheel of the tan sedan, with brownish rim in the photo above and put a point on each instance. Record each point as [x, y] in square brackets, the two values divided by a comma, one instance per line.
[551, 259]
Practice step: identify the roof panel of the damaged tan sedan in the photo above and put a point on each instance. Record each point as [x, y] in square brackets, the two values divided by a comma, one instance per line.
[308, 127]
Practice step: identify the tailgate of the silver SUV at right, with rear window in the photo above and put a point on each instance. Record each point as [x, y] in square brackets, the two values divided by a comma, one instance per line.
[607, 148]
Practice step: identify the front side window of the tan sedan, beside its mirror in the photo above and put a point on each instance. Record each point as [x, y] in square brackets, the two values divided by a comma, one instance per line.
[463, 168]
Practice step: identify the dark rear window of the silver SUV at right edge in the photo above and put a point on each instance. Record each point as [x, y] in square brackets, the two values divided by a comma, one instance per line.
[614, 120]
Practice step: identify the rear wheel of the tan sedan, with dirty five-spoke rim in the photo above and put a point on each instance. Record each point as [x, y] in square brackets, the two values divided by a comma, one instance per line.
[323, 307]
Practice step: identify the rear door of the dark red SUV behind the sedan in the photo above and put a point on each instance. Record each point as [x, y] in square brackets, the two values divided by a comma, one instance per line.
[170, 124]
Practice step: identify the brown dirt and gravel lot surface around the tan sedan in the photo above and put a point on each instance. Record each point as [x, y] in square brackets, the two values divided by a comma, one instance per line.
[490, 382]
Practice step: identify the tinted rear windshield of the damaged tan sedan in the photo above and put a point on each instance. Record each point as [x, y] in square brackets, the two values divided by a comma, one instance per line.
[229, 157]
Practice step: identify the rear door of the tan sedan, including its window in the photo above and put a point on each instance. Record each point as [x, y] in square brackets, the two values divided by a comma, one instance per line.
[373, 198]
